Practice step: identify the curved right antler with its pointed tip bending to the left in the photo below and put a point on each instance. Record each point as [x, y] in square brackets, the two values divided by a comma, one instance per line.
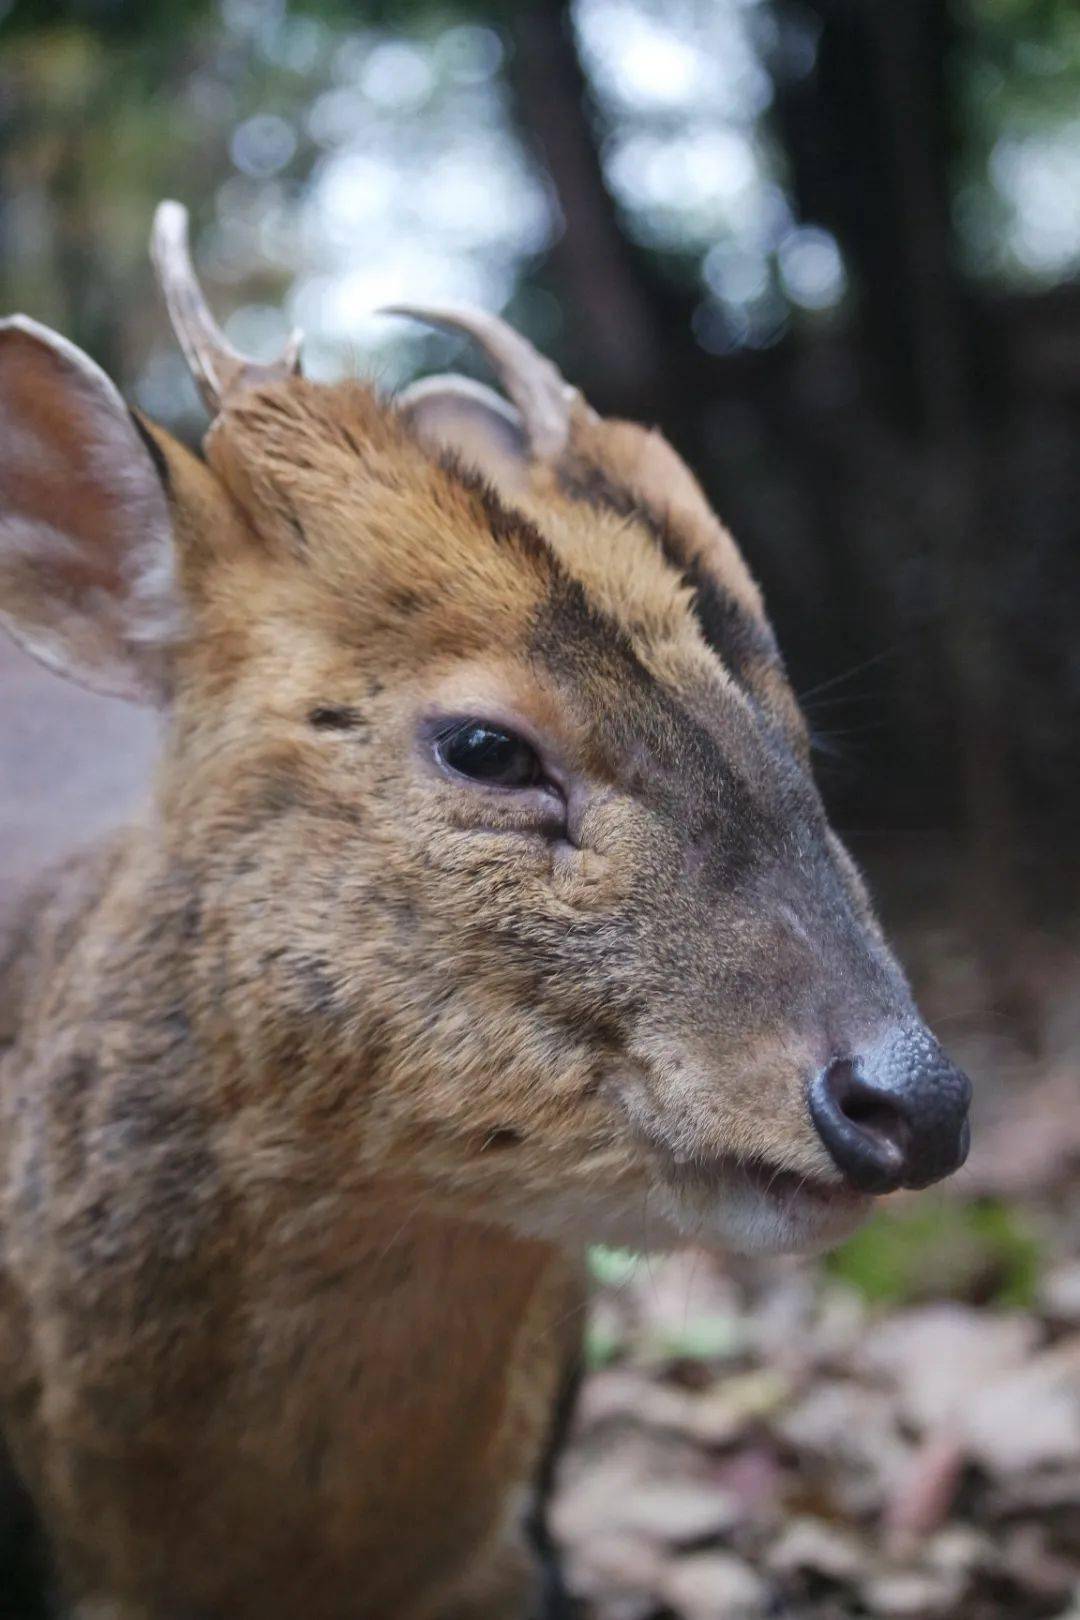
[540, 393]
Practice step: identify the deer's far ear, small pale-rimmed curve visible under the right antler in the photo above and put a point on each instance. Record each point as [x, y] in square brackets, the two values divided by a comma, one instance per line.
[483, 430]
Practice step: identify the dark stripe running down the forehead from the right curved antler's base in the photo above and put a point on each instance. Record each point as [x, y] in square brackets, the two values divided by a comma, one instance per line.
[744, 642]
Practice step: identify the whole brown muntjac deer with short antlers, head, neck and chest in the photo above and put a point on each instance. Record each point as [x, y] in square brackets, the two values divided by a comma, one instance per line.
[485, 905]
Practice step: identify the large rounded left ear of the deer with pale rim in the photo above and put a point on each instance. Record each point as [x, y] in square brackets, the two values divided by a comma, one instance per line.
[87, 568]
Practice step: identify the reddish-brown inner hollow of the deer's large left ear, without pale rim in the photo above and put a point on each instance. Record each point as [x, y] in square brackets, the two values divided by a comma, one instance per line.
[54, 463]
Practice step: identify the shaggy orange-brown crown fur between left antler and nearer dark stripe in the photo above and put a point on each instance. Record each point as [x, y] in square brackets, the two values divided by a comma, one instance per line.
[372, 524]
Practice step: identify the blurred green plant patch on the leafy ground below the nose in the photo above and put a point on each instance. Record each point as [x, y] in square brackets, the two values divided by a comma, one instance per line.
[984, 1253]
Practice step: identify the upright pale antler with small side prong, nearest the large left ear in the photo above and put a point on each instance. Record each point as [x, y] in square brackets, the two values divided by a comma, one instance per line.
[218, 369]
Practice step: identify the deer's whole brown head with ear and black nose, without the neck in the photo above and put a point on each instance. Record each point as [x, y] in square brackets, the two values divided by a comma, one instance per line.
[490, 801]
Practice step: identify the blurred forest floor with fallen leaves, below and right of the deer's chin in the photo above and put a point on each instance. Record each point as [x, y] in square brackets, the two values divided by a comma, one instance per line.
[893, 1431]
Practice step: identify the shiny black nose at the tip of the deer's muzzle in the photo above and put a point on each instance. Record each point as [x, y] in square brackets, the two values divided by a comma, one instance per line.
[895, 1117]
